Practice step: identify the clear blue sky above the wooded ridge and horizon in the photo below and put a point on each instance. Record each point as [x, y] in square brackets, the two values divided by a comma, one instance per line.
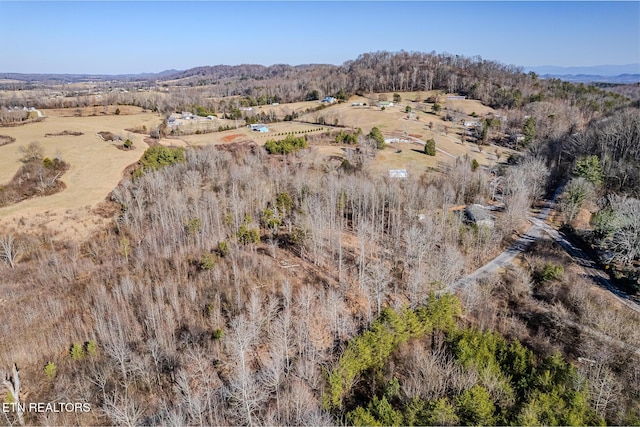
[114, 37]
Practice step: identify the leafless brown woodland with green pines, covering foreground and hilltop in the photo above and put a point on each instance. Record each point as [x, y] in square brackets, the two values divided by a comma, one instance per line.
[238, 287]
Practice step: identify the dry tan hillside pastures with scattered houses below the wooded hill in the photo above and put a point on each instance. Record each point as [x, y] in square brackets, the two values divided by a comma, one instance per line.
[393, 122]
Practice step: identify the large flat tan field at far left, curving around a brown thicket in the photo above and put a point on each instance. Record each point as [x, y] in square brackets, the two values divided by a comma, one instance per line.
[96, 165]
